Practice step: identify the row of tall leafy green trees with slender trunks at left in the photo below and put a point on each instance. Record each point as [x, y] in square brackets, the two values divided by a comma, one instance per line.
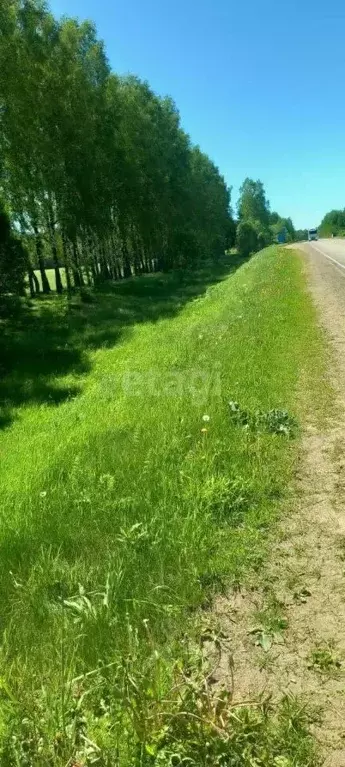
[96, 173]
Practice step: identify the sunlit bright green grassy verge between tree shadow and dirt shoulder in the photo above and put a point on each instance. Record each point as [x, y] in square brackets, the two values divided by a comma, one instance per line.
[143, 499]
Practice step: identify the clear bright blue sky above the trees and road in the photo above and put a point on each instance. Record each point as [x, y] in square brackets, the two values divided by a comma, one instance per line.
[259, 85]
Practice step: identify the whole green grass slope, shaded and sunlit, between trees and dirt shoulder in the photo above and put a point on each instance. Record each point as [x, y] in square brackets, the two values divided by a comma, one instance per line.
[129, 495]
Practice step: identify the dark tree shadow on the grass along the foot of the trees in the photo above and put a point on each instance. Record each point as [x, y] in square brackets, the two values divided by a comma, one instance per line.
[51, 338]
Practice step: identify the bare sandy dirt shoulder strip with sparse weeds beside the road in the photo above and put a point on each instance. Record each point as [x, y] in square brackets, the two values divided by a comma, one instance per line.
[286, 633]
